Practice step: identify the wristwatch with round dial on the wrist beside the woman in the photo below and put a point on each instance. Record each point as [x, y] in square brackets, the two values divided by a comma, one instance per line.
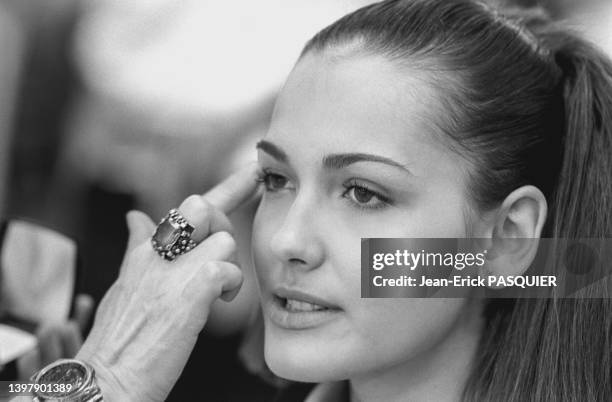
[66, 380]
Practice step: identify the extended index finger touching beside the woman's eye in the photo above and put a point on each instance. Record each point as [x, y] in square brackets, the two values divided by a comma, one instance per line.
[235, 190]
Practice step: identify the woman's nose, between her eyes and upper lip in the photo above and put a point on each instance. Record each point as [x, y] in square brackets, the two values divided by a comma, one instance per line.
[298, 242]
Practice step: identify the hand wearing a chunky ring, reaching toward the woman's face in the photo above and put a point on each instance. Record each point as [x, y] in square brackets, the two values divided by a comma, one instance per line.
[149, 320]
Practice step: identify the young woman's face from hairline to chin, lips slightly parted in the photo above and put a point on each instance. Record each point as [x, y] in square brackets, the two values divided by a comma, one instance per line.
[350, 154]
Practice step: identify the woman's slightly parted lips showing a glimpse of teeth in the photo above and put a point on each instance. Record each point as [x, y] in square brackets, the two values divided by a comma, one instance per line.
[292, 309]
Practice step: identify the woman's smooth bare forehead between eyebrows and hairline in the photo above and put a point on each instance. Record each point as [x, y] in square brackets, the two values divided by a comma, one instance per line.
[356, 104]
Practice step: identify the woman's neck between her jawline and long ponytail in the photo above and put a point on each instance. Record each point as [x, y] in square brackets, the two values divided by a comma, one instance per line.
[439, 374]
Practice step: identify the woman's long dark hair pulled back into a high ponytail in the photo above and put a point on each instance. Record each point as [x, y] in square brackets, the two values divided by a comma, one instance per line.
[528, 103]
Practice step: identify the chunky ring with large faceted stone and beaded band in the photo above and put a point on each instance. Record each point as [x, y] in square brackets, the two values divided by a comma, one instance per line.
[173, 236]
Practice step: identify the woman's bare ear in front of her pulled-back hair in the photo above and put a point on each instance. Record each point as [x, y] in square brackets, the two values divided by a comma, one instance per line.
[514, 232]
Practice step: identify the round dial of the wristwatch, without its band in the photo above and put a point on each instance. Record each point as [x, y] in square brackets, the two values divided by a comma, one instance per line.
[62, 380]
